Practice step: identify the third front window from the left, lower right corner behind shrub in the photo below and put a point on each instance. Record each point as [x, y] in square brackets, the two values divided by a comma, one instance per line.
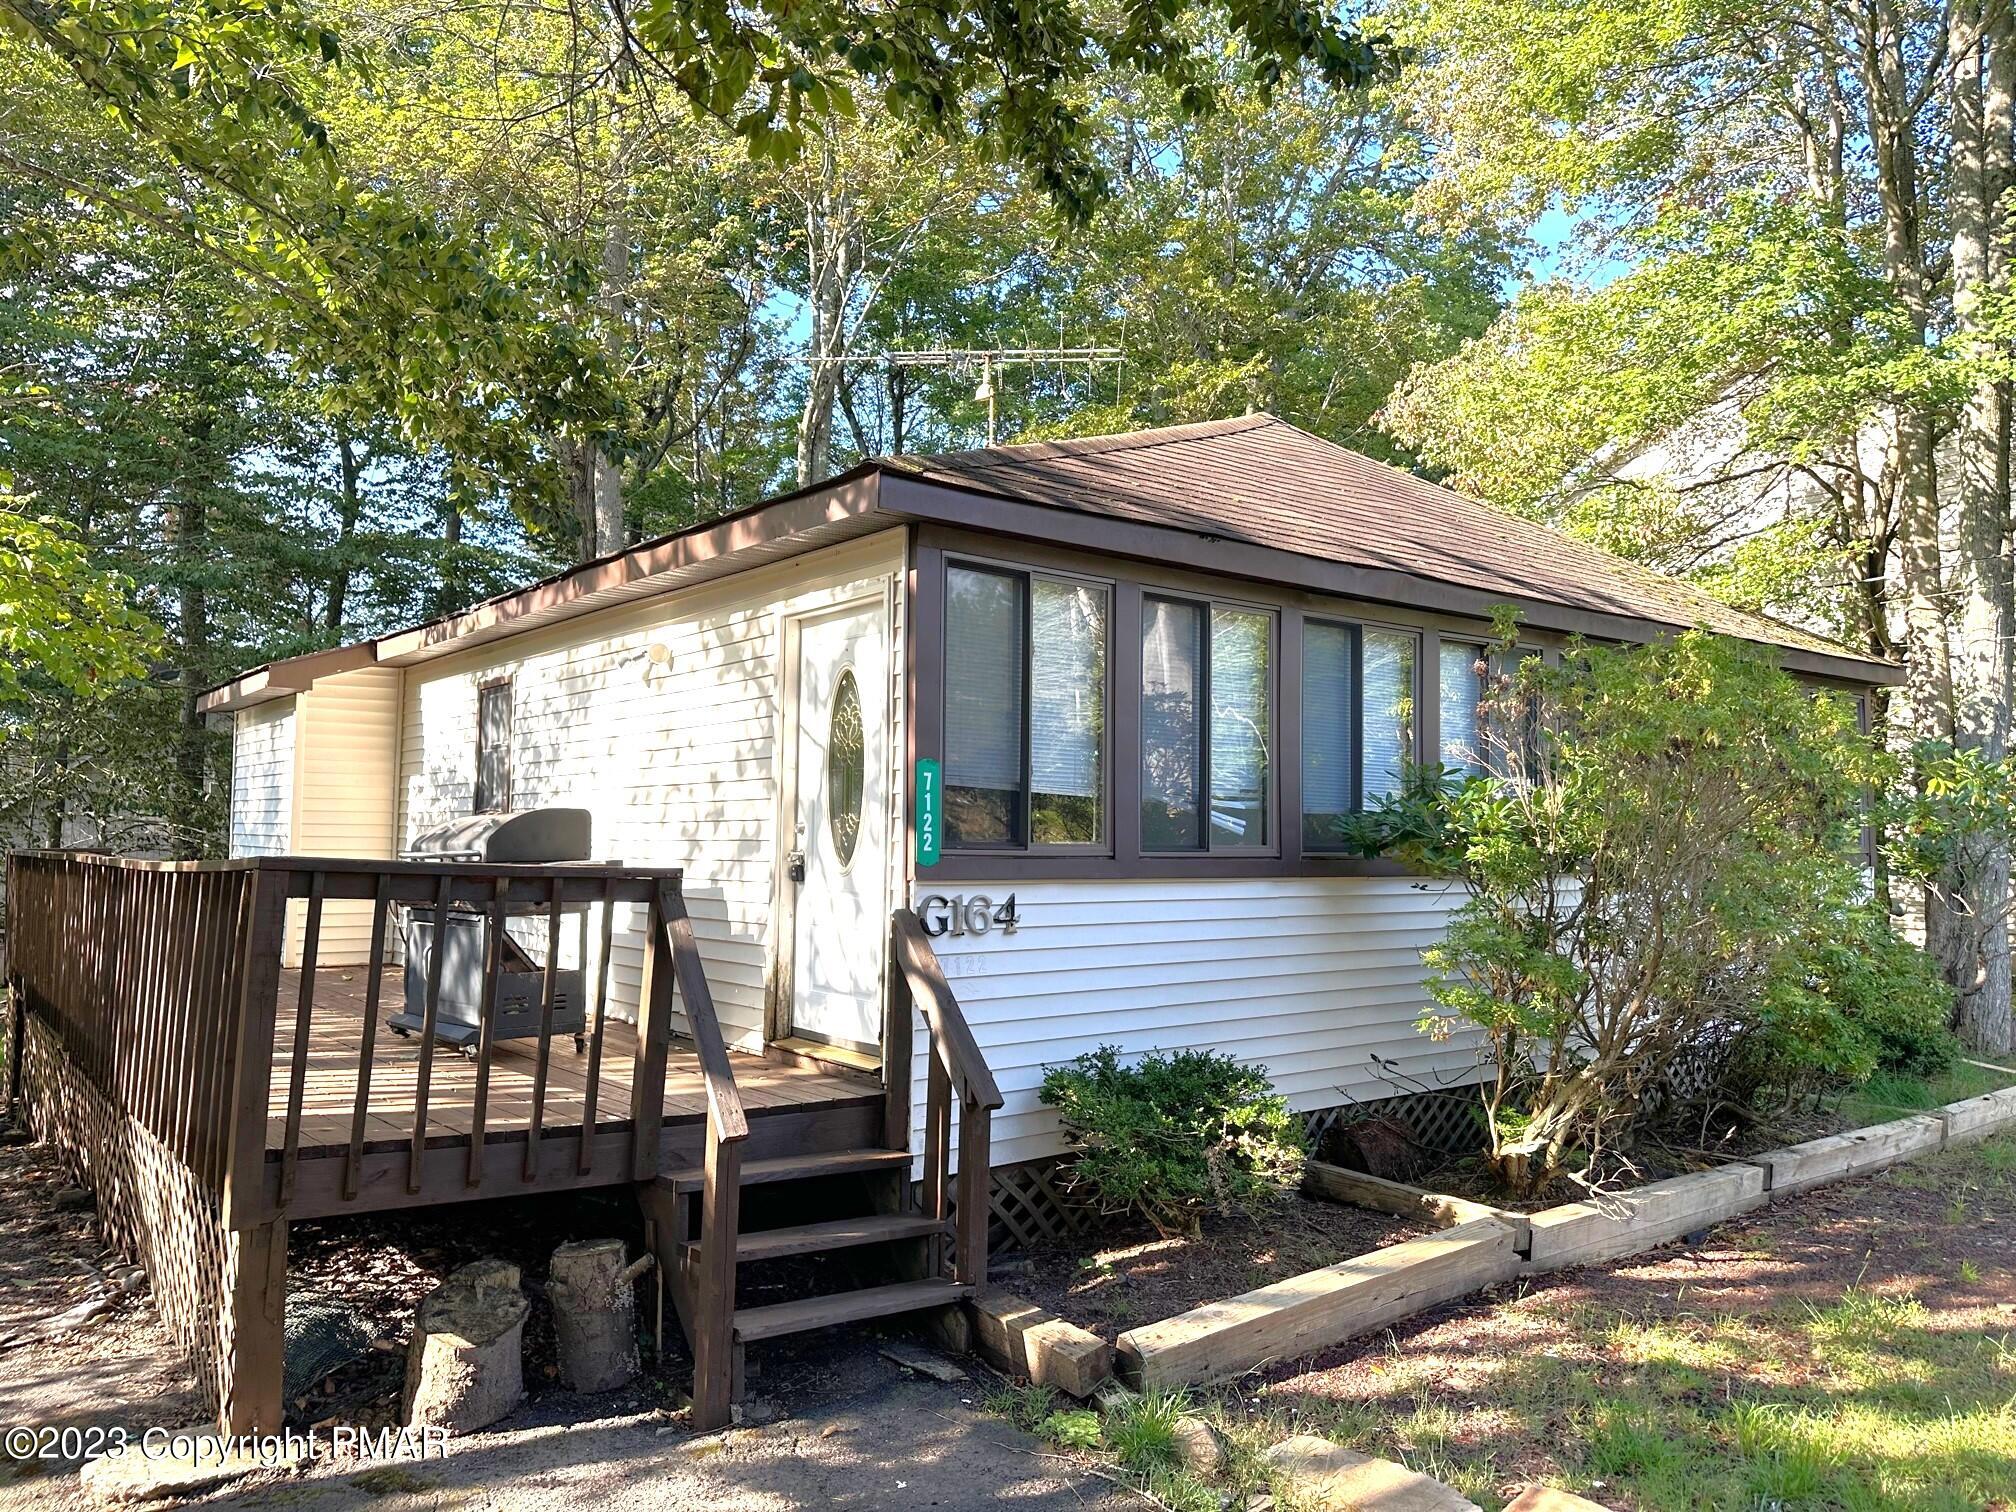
[1358, 721]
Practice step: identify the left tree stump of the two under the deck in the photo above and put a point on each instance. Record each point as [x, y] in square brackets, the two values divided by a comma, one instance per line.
[465, 1368]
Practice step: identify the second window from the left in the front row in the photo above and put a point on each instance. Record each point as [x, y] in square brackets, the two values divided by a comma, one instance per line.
[1207, 727]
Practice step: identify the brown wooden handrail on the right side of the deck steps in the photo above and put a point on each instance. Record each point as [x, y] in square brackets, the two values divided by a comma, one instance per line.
[957, 1074]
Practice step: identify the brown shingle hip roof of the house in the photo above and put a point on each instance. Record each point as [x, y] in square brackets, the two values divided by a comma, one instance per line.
[1267, 483]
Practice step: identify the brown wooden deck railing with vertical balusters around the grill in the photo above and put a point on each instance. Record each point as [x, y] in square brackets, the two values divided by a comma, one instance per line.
[162, 985]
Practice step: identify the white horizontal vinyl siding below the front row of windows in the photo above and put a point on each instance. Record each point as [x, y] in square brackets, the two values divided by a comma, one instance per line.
[1307, 977]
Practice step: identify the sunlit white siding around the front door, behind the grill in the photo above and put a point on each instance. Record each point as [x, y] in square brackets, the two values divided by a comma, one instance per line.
[662, 721]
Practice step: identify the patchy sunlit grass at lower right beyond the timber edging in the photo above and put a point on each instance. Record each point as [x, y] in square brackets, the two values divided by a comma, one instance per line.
[1864, 1400]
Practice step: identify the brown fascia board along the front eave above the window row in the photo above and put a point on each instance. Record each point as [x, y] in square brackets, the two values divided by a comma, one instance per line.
[920, 499]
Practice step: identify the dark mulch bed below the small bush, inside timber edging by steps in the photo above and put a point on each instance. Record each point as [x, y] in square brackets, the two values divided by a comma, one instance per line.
[1126, 1275]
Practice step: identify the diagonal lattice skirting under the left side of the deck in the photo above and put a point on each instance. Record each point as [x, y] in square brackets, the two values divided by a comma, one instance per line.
[150, 1207]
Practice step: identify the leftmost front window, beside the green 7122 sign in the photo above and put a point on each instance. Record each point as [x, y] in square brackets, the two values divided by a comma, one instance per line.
[1025, 711]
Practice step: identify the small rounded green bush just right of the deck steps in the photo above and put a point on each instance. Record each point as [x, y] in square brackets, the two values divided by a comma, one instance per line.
[1176, 1136]
